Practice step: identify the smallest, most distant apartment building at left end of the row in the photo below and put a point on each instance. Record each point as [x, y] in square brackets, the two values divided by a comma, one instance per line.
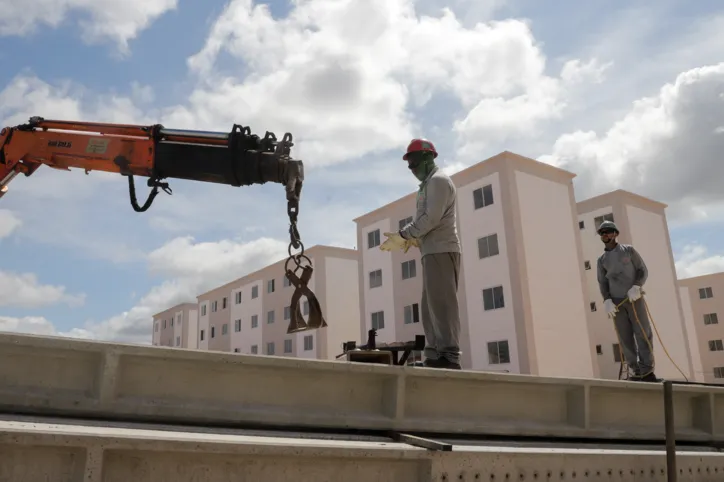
[176, 326]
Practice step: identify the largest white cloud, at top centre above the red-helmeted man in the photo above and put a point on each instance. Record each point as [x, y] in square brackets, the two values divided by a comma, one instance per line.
[343, 87]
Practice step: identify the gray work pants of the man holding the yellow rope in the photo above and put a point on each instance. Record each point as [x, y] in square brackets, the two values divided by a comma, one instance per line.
[633, 339]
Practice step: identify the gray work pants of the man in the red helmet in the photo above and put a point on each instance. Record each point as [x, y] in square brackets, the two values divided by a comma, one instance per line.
[439, 306]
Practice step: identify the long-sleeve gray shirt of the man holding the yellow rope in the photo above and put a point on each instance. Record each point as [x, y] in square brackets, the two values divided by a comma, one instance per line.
[618, 270]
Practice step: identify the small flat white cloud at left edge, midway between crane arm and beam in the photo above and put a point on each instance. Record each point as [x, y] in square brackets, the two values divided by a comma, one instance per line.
[24, 291]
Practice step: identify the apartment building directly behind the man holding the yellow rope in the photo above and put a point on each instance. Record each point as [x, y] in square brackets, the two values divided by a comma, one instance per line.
[642, 223]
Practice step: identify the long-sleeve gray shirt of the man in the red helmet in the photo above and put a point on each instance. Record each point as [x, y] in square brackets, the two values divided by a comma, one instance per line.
[435, 223]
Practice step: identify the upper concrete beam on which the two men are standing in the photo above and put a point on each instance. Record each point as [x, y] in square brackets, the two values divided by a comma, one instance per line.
[61, 376]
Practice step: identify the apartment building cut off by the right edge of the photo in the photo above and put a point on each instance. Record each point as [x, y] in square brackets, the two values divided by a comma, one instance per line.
[703, 299]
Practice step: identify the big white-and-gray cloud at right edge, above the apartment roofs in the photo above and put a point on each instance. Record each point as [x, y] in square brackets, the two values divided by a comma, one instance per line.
[667, 147]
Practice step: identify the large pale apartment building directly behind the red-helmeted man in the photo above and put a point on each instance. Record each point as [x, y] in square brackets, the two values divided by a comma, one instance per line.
[522, 291]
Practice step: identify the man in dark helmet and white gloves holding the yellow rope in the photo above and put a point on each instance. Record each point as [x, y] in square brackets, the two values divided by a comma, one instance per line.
[621, 274]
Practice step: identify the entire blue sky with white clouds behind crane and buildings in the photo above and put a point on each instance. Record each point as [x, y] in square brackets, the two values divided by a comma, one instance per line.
[626, 94]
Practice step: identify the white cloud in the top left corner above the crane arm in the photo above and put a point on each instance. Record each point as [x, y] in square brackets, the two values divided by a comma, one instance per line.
[117, 21]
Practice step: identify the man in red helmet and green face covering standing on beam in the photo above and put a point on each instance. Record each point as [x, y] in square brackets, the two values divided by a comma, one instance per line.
[434, 231]
